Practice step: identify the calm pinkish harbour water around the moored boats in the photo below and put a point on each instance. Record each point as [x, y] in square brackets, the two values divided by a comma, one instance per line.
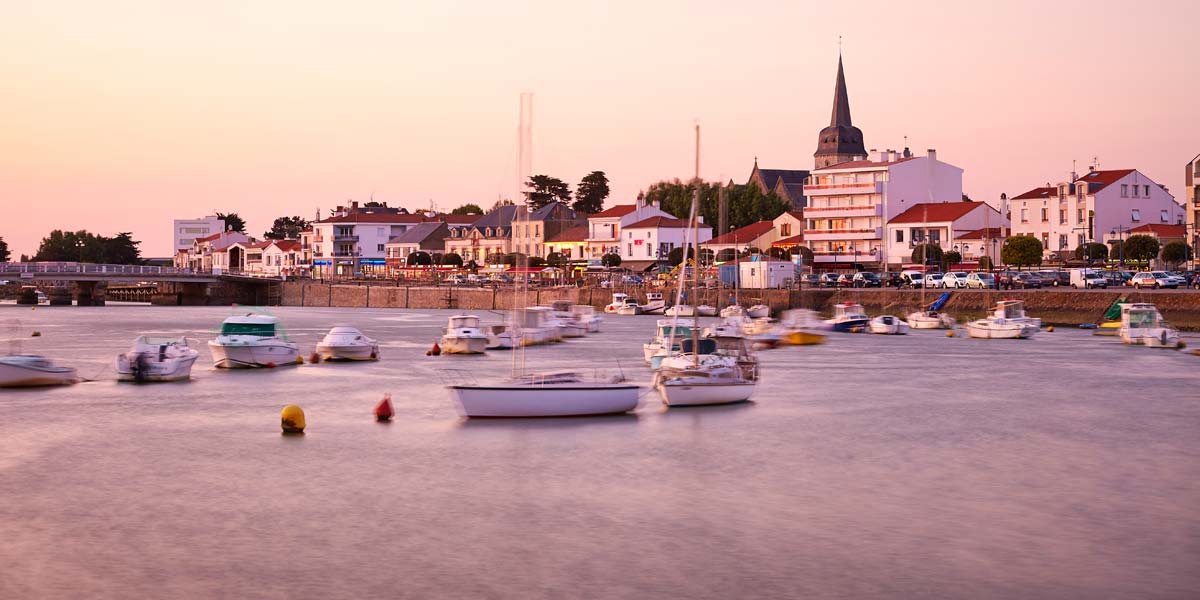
[873, 467]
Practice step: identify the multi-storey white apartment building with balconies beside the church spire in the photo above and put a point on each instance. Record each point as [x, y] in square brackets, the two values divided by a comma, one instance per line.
[851, 202]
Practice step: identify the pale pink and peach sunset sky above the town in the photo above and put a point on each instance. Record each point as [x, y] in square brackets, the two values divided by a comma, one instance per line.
[125, 115]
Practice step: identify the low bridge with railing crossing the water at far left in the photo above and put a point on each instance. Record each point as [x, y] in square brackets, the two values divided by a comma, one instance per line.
[172, 286]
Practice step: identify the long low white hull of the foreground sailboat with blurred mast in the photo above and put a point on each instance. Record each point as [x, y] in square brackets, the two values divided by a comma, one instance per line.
[549, 395]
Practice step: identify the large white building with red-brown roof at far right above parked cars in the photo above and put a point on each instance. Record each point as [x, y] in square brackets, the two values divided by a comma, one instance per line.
[1067, 215]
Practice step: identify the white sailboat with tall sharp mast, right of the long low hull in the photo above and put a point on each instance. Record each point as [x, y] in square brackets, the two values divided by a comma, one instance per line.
[700, 375]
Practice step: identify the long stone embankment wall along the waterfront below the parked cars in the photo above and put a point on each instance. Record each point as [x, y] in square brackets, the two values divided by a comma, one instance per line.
[1065, 308]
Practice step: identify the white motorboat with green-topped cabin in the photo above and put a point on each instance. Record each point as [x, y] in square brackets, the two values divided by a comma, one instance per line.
[253, 341]
